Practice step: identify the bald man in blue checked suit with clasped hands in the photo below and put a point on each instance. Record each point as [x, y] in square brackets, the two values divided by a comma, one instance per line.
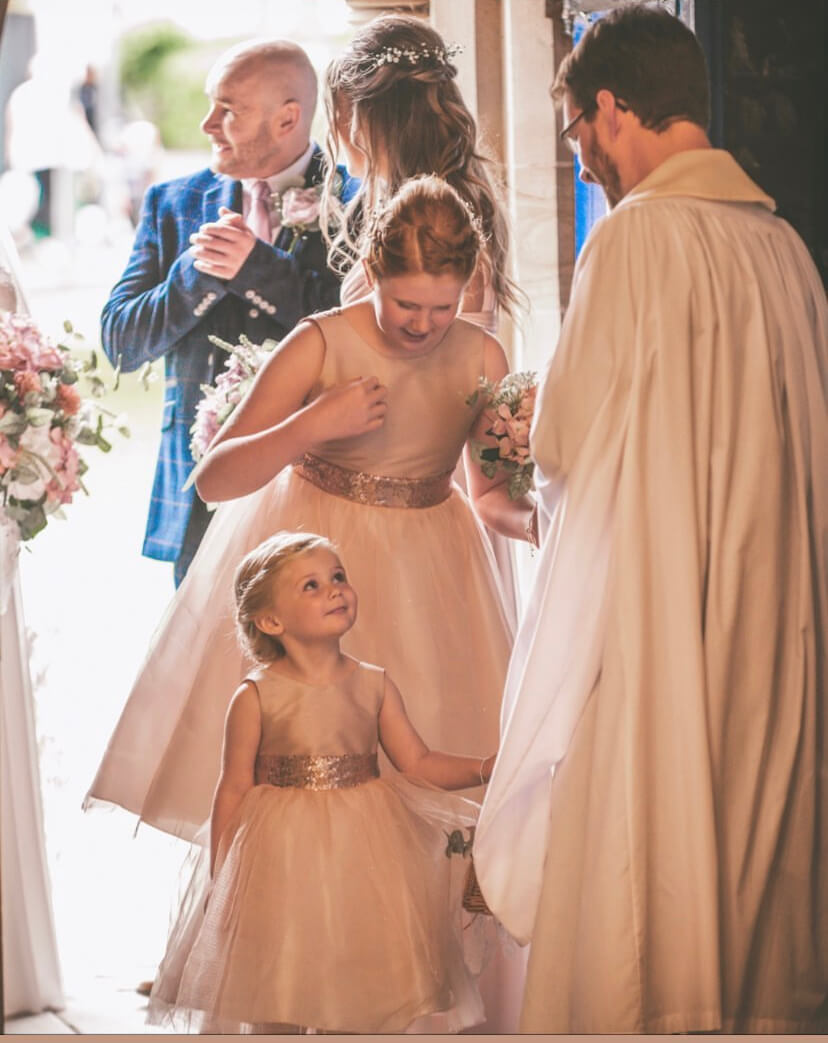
[214, 255]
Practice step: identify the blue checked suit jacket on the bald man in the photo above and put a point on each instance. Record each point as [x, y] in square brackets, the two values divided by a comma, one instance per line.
[162, 306]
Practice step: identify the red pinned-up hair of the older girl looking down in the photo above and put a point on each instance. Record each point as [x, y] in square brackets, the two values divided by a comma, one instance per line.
[427, 228]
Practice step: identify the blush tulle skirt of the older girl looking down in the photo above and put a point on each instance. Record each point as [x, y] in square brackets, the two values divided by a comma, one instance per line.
[431, 613]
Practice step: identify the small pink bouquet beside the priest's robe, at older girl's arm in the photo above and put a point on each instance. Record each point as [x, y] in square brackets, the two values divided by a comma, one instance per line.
[513, 403]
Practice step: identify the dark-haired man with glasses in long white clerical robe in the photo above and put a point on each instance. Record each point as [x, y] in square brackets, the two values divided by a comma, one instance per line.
[657, 822]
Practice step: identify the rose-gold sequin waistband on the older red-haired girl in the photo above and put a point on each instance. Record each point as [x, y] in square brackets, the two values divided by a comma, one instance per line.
[375, 491]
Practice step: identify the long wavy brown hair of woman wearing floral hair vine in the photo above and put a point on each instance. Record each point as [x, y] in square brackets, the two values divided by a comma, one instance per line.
[394, 94]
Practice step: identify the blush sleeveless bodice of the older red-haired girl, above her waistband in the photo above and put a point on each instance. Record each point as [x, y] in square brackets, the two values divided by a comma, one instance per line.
[428, 420]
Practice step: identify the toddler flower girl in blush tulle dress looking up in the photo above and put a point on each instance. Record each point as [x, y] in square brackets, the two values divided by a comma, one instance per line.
[329, 907]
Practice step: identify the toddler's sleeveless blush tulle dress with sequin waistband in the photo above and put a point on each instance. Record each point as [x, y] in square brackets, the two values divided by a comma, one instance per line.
[333, 907]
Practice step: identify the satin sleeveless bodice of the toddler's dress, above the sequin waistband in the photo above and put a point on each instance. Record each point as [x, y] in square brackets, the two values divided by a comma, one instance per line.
[301, 719]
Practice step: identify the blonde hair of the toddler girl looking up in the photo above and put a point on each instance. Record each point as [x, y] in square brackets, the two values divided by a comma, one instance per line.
[254, 589]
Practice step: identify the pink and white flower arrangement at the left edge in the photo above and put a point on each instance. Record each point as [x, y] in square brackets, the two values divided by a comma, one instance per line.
[43, 420]
